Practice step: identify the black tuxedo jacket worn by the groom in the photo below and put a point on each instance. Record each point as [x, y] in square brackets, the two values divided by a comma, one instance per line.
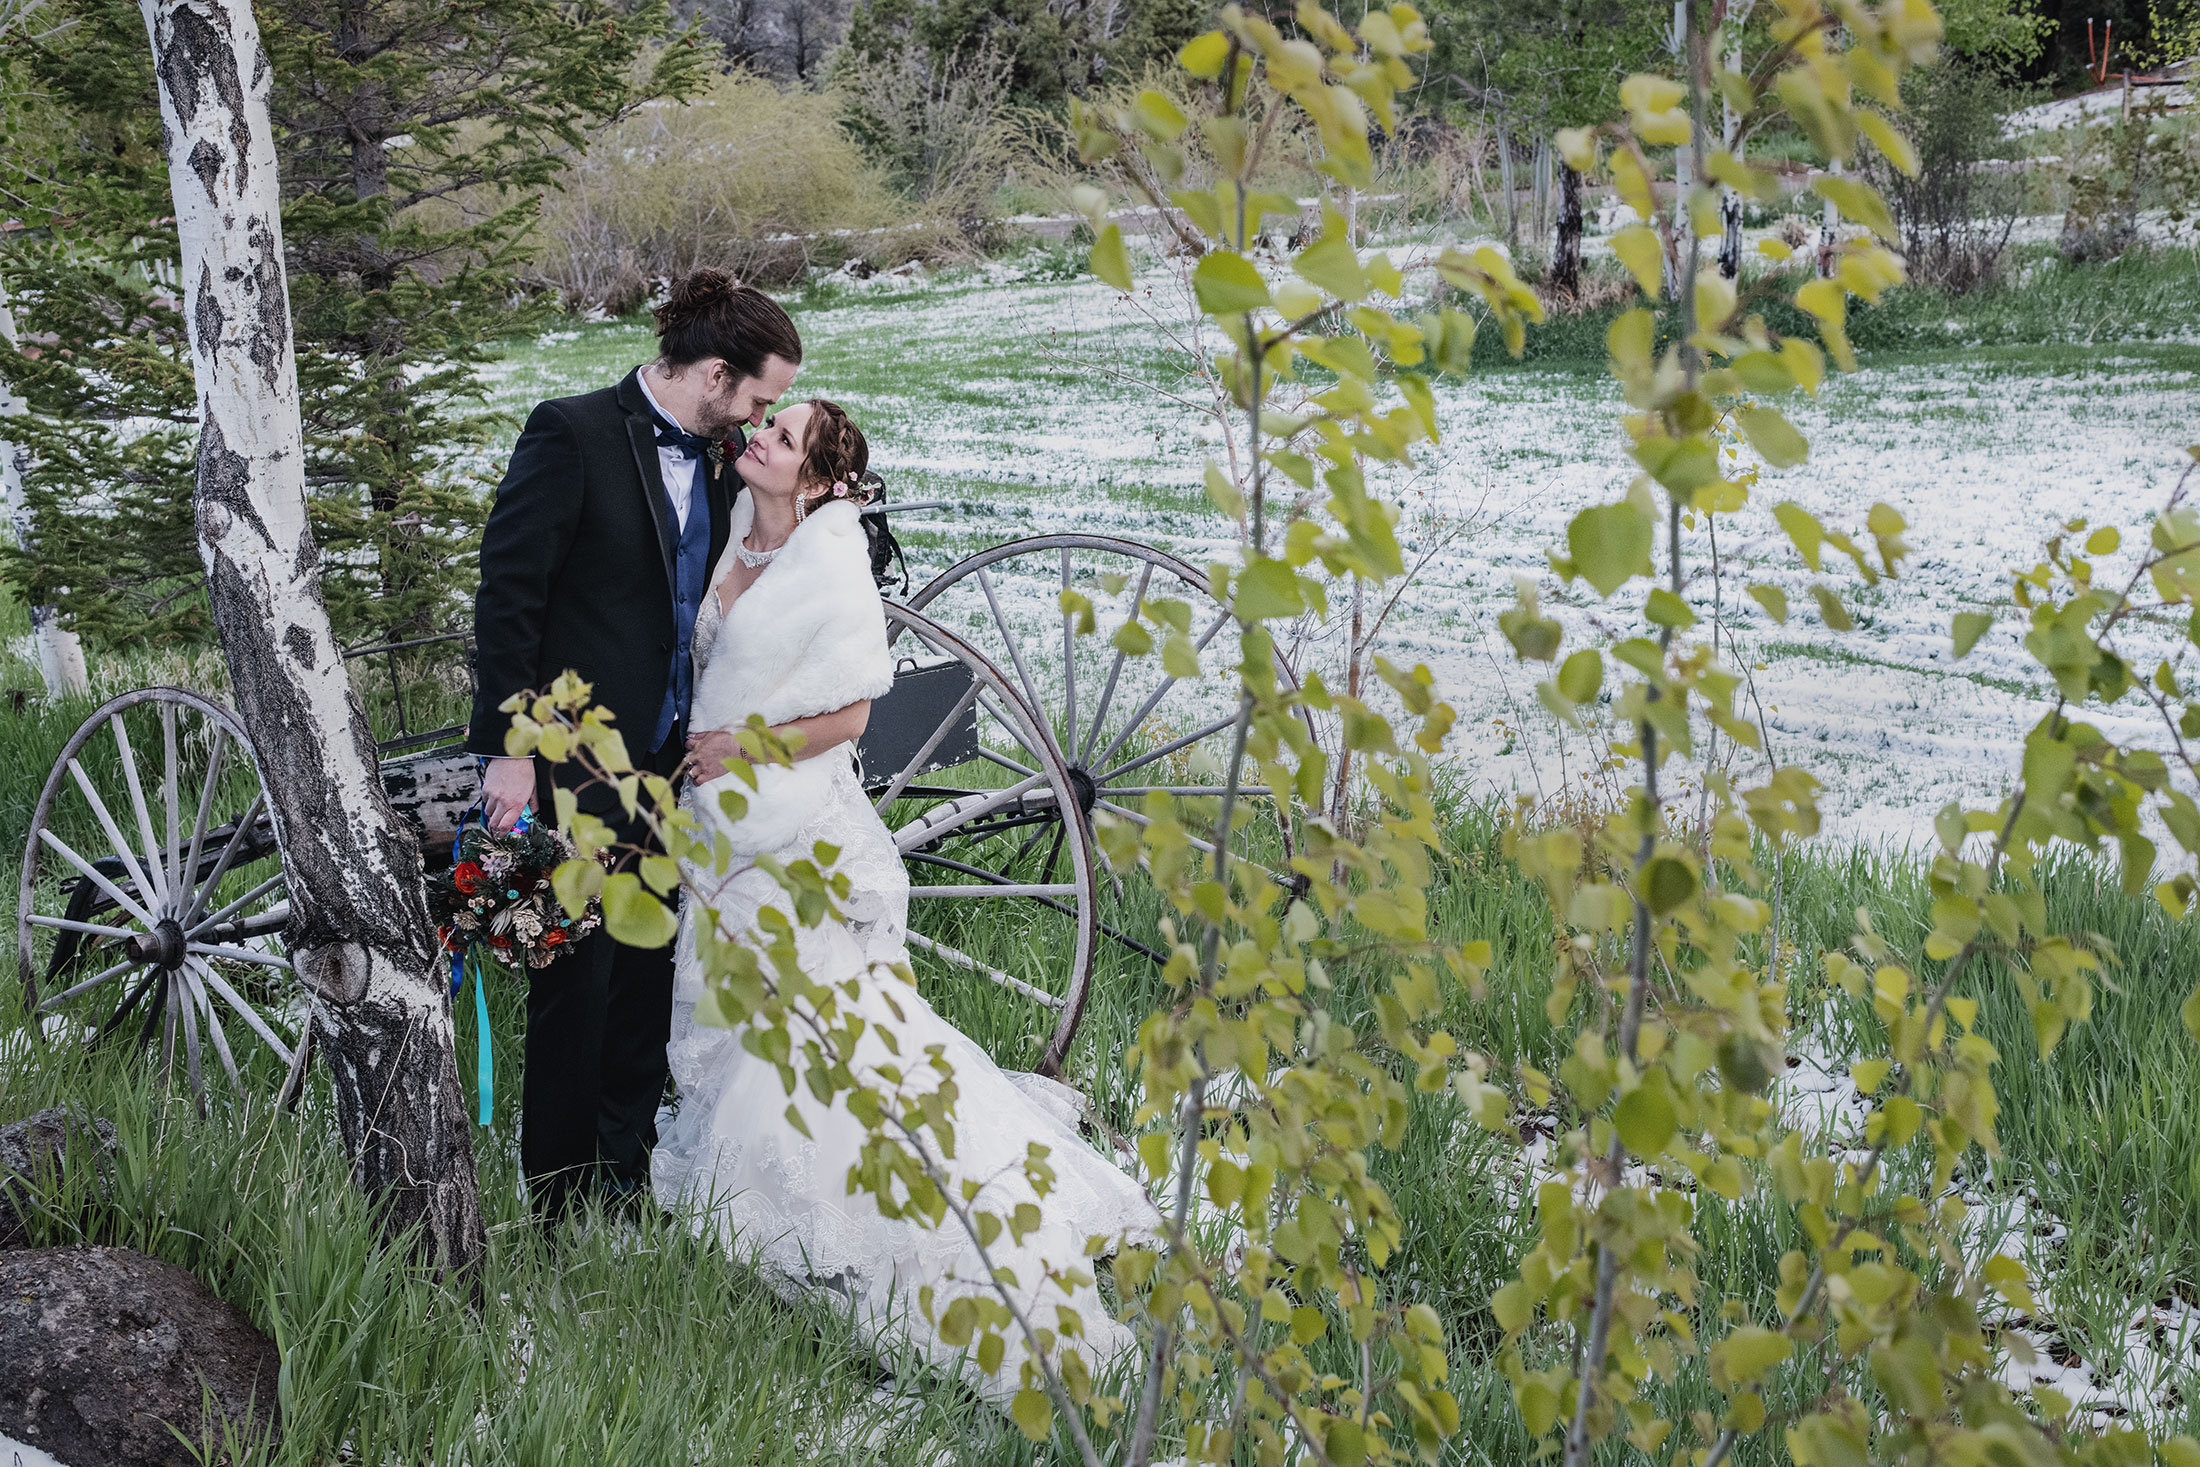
[577, 566]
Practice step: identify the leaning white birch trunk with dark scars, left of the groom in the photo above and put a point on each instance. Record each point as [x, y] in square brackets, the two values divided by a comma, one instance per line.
[360, 931]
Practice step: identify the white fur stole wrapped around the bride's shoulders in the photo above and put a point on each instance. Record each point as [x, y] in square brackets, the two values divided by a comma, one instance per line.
[808, 637]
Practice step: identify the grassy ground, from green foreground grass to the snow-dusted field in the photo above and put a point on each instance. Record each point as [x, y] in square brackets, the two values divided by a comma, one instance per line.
[632, 1345]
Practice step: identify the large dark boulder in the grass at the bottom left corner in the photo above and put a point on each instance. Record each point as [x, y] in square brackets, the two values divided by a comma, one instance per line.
[104, 1347]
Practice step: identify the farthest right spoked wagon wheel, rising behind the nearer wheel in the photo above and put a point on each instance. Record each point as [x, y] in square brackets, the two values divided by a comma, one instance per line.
[1125, 729]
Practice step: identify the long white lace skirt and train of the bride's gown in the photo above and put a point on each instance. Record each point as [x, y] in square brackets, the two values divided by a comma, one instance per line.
[731, 1160]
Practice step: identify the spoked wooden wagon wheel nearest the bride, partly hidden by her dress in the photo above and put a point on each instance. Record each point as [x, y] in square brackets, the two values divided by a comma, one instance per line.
[965, 775]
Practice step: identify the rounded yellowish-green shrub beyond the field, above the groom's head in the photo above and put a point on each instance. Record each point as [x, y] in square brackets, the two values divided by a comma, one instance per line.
[745, 179]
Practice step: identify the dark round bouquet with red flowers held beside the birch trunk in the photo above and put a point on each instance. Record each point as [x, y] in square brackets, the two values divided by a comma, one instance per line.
[498, 898]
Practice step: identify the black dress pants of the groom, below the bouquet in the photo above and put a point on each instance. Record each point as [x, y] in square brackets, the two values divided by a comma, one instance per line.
[595, 1059]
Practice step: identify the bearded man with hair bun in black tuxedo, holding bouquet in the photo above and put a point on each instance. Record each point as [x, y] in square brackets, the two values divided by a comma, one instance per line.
[595, 560]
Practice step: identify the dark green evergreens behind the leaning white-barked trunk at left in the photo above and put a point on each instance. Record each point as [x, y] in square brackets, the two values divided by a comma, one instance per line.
[415, 142]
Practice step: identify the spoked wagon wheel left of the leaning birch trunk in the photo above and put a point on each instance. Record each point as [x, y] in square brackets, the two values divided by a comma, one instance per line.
[157, 901]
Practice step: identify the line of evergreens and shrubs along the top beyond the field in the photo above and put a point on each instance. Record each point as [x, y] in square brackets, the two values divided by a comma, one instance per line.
[459, 175]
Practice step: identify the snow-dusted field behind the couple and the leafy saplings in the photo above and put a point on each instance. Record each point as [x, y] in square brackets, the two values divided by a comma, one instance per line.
[1044, 406]
